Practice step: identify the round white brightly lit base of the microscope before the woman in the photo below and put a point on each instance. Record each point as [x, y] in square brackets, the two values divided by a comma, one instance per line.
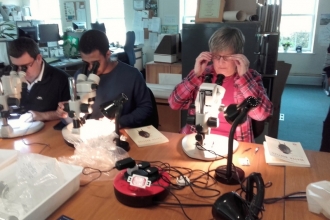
[212, 142]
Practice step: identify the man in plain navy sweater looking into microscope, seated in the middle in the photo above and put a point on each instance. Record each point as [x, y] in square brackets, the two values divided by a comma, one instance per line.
[116, 77]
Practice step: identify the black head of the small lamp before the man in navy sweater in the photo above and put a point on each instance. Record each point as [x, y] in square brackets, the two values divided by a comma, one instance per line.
[110, 108]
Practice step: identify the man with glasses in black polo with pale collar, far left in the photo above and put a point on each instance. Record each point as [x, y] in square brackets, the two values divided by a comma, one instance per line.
[46, 85]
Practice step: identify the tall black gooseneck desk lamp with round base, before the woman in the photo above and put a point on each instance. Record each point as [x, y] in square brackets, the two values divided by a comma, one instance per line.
[234, 114]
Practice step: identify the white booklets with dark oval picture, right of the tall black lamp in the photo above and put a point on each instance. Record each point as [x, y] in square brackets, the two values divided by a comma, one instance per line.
[285, 153]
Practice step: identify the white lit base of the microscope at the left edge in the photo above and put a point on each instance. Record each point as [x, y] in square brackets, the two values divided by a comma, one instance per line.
[18, 129]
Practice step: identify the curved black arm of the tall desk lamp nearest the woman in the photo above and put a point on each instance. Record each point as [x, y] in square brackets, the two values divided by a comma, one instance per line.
[236, 122]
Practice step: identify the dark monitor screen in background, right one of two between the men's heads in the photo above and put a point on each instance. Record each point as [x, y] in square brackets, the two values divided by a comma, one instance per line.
[48, 33]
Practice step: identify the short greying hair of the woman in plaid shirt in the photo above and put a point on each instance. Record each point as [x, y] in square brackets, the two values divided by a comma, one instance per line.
[227, 38]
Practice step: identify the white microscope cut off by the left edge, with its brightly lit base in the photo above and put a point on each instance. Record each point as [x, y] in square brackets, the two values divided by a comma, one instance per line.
[10, 94]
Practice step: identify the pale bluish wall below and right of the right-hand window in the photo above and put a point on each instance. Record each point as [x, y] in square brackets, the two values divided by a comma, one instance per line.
[307, 68]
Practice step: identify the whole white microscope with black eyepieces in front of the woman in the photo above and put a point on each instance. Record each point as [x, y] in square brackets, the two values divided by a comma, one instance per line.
[202, 145]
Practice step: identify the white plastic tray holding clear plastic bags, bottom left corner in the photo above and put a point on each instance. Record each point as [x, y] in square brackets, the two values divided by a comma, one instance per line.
[53, 200]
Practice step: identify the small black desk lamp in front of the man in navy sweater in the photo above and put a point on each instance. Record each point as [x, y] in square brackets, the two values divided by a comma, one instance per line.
[112, 110]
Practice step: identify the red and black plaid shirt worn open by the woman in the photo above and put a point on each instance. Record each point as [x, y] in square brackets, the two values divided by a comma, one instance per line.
[250, 84]
